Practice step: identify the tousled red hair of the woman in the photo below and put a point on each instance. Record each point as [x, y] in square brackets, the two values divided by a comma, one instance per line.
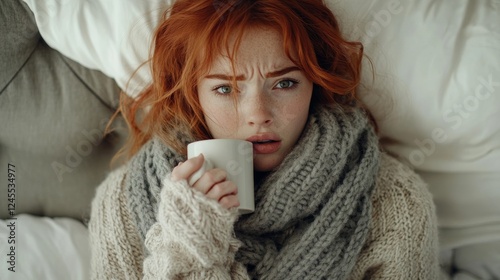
[193, 33]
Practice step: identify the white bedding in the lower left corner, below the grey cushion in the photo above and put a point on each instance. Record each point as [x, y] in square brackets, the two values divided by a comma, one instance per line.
[44, 248]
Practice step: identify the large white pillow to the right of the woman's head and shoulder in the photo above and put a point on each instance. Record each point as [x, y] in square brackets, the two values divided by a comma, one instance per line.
[436, 95]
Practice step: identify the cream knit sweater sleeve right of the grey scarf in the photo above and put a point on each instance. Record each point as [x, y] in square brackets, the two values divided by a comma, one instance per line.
[403, 242]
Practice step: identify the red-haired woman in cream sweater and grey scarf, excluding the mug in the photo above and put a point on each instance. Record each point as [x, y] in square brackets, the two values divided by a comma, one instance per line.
[329, 203]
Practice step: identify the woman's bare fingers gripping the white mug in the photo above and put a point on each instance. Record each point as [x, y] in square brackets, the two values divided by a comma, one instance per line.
[212, 183]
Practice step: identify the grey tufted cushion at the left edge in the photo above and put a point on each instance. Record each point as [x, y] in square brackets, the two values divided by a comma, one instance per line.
[52, 117]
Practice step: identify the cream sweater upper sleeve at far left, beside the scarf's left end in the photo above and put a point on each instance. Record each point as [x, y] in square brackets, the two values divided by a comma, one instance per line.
[116, 249]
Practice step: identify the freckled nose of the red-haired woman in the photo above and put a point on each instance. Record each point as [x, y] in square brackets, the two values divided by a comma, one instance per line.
[257, 110]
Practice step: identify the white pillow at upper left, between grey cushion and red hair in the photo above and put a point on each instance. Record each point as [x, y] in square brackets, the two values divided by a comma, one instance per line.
[112, 36]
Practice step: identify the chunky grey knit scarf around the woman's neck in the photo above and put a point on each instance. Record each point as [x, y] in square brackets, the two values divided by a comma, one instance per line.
[312, 214]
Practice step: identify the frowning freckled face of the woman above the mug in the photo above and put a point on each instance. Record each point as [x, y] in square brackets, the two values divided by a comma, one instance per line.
[273, 98]
